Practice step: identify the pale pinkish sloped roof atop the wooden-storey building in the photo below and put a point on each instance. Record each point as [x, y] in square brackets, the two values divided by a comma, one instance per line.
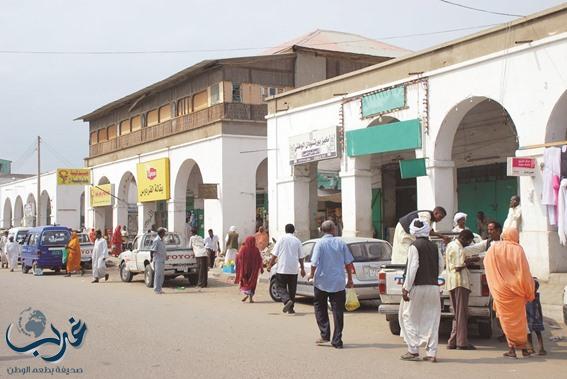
[331, 40]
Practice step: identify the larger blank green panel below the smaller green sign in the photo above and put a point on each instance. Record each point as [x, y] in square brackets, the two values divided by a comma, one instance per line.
[396, 136]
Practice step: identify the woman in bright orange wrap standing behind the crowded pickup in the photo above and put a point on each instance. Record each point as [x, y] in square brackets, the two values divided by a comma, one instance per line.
[512, 287]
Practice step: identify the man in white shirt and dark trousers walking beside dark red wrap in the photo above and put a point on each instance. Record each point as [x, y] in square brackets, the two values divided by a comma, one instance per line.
[289, 254]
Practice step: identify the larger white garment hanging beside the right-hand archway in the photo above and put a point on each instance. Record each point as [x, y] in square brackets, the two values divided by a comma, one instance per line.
[551, 173]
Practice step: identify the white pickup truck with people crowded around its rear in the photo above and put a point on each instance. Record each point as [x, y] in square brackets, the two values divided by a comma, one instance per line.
[390, 281]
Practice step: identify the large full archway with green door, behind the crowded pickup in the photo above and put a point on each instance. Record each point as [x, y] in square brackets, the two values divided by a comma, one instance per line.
[475, 138]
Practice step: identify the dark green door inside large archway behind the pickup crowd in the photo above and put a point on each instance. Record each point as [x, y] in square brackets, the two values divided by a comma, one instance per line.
[492, 197]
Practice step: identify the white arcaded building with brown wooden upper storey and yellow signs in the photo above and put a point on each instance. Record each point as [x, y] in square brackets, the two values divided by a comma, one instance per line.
[194, 144]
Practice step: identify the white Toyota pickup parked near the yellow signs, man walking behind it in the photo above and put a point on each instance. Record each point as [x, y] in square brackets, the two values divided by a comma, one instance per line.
[179, 259]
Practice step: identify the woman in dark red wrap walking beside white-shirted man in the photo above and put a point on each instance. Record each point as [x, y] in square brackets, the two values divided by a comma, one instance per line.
[248, 265]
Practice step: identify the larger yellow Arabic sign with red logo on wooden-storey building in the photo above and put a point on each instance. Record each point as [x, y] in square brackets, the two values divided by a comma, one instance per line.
[153, 180]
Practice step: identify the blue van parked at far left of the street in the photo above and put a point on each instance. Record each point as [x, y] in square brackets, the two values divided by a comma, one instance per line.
[43, 248]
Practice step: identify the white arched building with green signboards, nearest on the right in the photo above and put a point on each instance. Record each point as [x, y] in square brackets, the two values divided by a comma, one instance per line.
[459, 109]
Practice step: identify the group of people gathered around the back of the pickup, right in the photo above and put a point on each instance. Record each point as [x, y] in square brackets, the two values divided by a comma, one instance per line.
[512, 287]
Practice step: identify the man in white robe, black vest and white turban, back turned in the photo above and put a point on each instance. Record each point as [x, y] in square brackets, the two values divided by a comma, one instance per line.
[420, 309]
